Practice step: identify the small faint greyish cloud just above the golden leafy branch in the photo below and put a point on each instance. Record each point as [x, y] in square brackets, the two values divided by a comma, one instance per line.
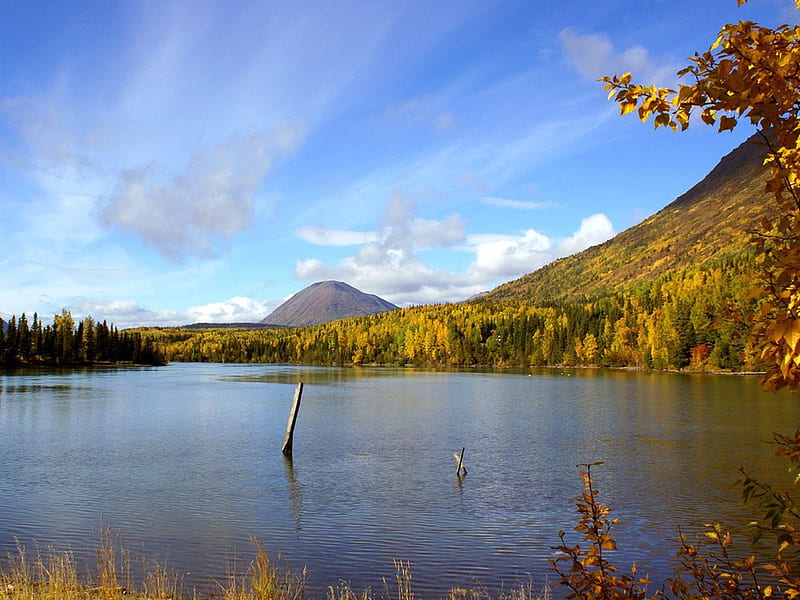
[593, 55]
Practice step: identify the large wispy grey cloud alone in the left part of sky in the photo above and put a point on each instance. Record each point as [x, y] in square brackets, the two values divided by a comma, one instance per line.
[182, 212]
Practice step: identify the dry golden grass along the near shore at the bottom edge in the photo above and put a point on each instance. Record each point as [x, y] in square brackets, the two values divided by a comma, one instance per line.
[52, 575]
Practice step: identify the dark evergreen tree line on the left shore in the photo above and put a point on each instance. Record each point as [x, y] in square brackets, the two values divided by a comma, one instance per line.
[65, 342]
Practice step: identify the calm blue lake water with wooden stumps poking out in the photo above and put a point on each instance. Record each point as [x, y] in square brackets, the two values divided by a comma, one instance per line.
[184, 461]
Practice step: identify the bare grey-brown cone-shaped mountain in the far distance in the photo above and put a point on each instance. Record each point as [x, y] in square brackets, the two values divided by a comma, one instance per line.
[326, 301]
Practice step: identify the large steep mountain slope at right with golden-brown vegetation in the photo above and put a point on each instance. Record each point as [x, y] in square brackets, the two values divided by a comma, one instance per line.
[710, 222]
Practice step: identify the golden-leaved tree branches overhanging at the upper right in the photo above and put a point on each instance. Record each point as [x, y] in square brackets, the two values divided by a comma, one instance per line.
[750, 74]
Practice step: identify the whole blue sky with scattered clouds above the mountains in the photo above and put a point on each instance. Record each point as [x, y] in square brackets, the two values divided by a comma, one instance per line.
[171, 162]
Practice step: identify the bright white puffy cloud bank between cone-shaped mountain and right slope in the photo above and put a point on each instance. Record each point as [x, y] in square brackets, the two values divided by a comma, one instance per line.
[391, 267]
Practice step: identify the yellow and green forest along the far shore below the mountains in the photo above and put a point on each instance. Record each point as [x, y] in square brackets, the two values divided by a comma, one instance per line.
[698, 318]
